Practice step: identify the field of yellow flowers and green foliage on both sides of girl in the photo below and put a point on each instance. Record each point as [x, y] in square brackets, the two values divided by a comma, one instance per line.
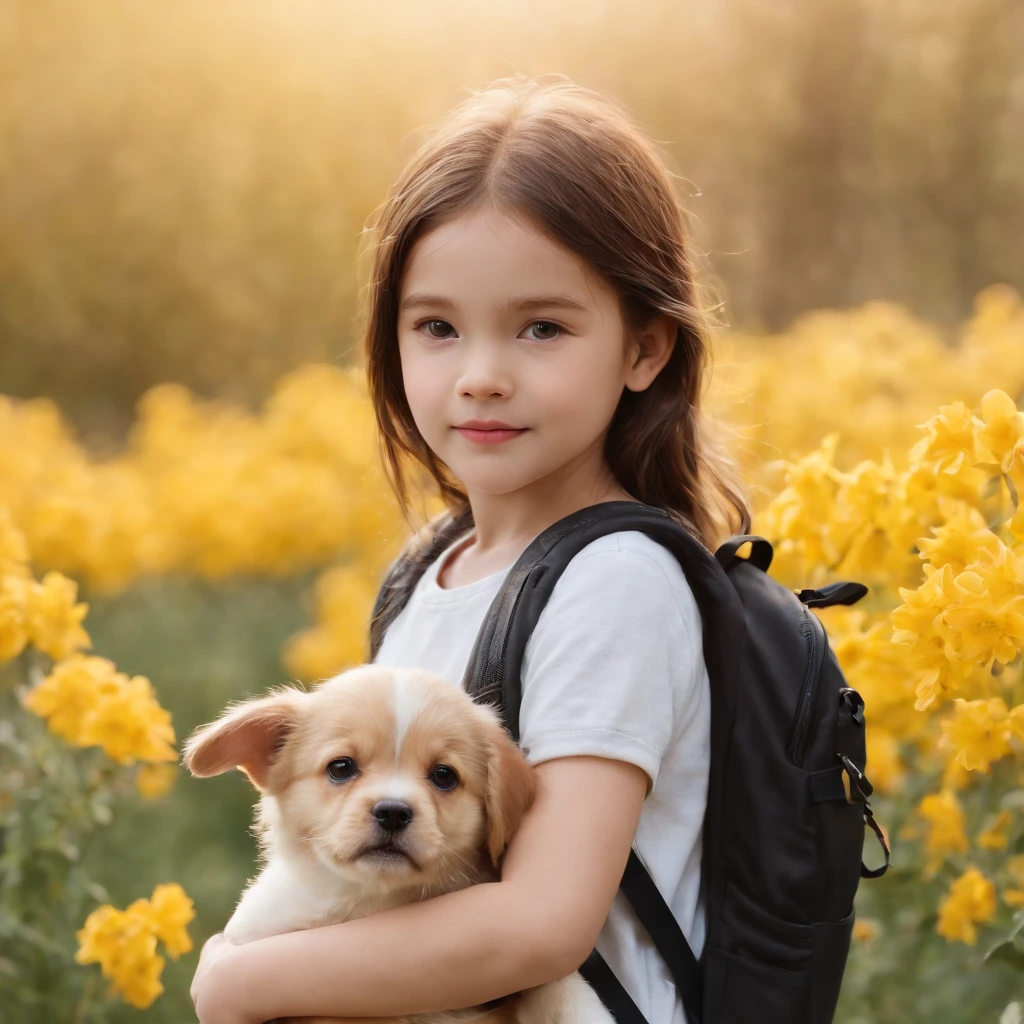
[223, 550]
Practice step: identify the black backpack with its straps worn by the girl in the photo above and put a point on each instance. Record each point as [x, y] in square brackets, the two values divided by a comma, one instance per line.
[788, 799]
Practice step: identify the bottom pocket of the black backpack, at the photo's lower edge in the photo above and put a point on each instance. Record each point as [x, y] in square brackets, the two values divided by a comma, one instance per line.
[774, 971]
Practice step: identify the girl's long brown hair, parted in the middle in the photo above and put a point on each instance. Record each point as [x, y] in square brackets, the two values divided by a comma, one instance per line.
[574, 164]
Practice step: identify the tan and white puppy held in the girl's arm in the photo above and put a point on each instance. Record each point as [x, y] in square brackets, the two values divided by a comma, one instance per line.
[379, 788]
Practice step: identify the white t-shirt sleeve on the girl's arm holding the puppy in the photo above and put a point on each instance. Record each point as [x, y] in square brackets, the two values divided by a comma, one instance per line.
[612, 666]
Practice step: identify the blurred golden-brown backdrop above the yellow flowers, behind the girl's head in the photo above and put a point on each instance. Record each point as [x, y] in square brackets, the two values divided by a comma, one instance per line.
[183, 190]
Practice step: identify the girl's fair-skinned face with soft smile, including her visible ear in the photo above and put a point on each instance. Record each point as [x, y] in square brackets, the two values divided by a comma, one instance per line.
[515, 354]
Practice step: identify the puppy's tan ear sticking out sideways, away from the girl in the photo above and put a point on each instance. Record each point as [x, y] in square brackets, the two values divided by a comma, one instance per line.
[247, 737]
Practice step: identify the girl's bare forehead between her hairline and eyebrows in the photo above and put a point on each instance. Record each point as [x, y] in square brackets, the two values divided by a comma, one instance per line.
[488, 254]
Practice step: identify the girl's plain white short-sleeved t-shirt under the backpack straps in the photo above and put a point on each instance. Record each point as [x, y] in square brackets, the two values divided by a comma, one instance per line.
[615, 669]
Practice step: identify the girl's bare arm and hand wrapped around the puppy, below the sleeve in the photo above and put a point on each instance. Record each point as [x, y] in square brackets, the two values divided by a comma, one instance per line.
[540, 923]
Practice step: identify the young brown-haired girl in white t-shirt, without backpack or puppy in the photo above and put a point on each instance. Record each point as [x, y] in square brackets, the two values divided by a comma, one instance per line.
[535, 342]
